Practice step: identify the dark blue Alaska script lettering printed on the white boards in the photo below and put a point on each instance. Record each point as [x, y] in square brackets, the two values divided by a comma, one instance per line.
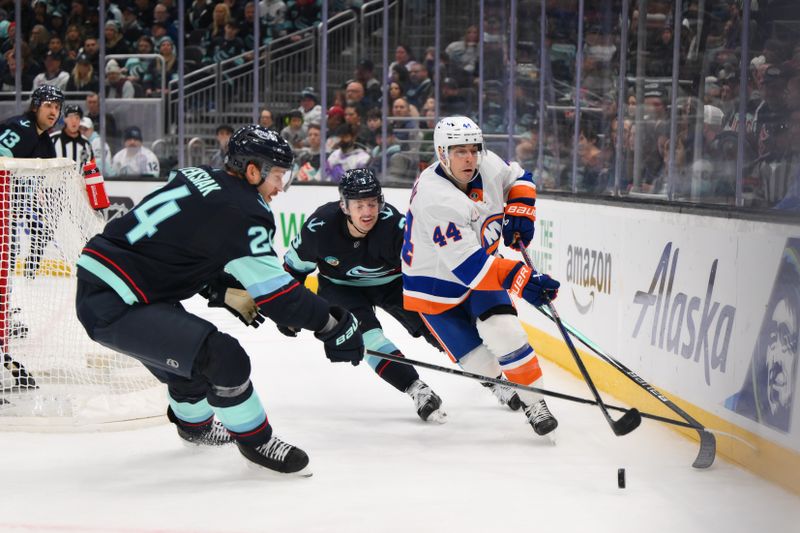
[694, 327]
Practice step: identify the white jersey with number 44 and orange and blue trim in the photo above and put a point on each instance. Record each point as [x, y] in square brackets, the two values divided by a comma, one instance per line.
[451, 238]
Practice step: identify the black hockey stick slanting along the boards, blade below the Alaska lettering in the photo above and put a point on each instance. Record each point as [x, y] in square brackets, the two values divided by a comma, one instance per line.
[708, 443]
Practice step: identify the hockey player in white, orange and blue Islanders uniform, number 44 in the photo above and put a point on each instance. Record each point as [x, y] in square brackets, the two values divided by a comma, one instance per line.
[460, 209]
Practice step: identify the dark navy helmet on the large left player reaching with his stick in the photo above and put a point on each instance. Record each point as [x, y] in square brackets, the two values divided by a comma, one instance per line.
[262, 147]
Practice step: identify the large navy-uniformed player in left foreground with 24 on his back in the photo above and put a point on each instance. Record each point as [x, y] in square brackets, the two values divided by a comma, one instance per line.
[132, 277]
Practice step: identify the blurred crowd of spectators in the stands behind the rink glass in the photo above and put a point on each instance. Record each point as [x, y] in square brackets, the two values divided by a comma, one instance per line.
[693, 100]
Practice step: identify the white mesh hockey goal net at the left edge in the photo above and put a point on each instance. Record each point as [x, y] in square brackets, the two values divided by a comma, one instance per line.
[53, 375]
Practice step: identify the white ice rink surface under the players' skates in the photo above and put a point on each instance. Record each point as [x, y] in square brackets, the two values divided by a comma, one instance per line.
[378, 468]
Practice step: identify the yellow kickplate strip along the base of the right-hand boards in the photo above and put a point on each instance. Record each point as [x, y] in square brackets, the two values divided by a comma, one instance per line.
[769, 460]
